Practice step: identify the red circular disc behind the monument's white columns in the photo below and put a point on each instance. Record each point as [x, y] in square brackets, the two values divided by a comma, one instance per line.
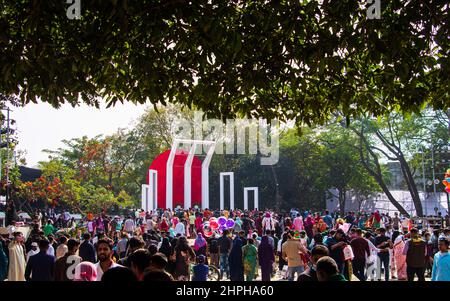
[160, 163]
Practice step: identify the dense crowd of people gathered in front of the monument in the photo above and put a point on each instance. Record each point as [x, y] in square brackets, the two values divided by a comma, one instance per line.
[170, 245]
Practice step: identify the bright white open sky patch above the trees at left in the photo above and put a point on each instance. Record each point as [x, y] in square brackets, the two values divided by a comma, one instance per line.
[40, 126]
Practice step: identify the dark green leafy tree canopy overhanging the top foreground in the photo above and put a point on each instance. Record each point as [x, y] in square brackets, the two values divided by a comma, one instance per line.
[288, 59]
